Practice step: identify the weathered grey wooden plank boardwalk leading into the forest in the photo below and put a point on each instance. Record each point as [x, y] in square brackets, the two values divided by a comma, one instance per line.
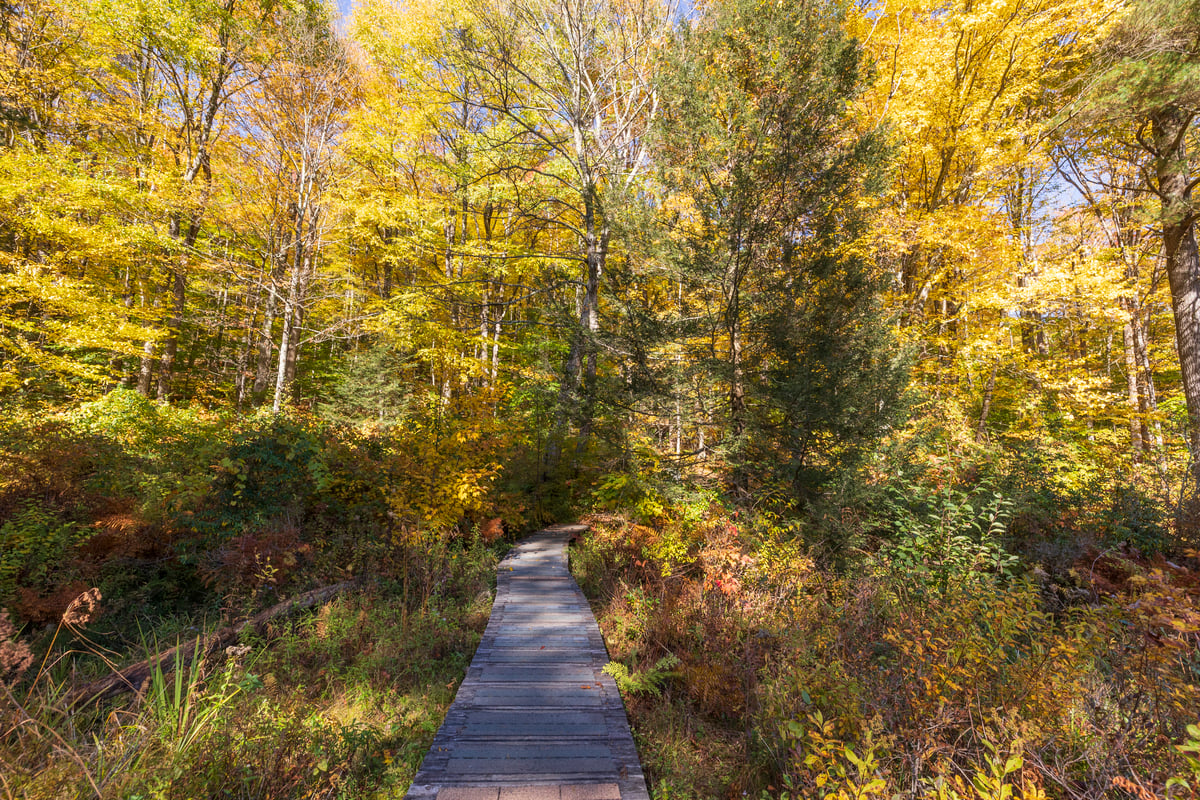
[536, 719]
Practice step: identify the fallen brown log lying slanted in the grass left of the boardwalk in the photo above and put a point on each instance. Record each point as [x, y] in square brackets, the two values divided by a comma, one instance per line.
[133, 678]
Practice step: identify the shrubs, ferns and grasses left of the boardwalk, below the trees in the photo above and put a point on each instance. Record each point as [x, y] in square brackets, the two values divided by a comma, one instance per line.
[130, 528]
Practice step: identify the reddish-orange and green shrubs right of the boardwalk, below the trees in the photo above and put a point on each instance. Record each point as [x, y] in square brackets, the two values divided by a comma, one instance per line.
[946, 634]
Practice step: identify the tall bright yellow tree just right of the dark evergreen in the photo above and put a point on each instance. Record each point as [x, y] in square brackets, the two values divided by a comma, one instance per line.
[970, 92]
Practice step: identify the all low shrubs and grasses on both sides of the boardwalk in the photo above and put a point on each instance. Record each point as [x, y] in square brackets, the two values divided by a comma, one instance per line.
[949, 628]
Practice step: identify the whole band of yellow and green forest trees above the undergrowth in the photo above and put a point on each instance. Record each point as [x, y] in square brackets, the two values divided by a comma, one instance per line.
[745, 236]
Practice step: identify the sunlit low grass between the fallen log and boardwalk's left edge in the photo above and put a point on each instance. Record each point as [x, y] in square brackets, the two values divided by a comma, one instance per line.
[344, 702]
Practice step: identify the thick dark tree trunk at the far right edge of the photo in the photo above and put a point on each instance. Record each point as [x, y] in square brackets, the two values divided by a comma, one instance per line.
[1171, 128]
